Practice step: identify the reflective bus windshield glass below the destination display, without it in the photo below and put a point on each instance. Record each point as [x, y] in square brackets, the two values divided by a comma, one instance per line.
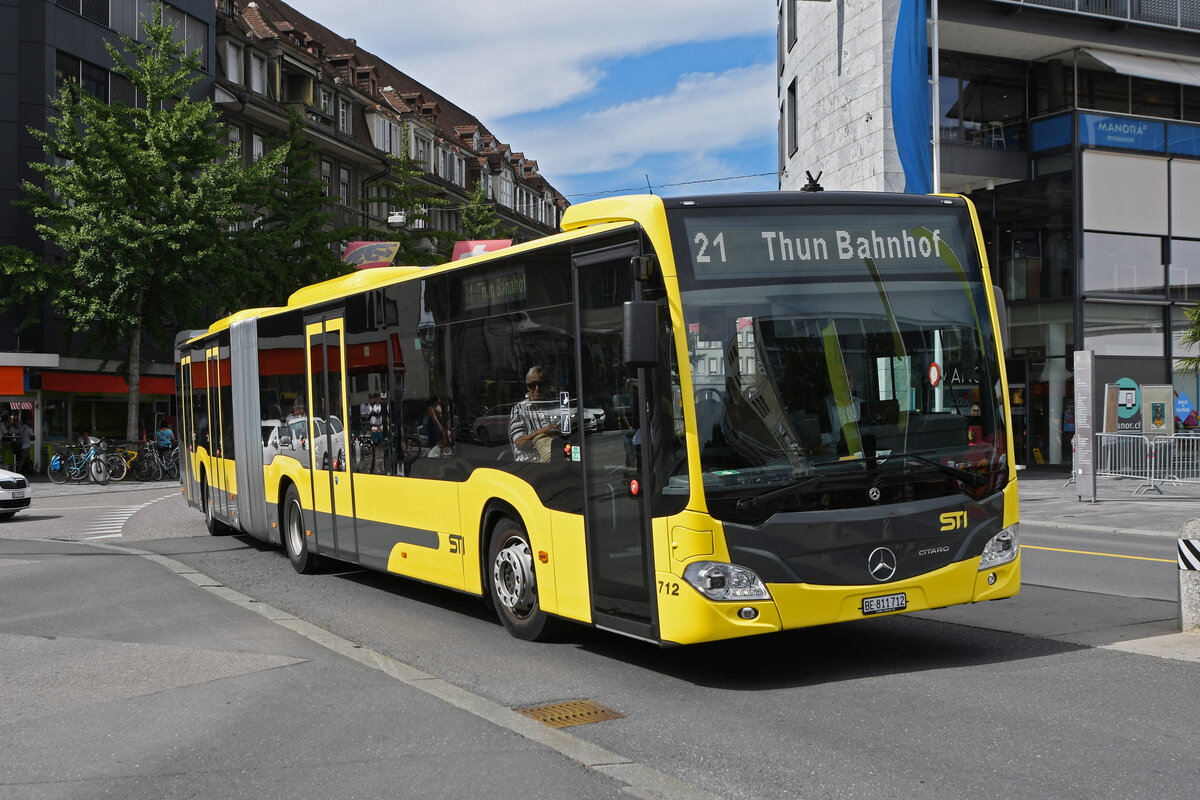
[807, 380]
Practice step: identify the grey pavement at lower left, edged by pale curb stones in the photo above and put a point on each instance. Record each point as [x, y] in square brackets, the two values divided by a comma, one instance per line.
[124, 681]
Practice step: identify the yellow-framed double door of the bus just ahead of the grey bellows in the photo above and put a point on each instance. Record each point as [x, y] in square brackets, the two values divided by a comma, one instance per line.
[332, 489]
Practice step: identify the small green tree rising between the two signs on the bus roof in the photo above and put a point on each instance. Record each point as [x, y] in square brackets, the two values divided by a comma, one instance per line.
[405, 191]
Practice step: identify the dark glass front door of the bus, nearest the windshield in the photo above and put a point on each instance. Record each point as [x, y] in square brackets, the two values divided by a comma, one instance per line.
[613, 450]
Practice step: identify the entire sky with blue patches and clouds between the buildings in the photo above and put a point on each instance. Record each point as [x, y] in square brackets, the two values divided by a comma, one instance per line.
[608, 99]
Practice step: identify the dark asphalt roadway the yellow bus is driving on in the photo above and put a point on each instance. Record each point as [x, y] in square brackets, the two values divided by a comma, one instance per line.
[1048, 695]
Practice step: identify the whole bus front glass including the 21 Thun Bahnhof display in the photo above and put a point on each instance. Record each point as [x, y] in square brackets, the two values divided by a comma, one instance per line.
[836, 345]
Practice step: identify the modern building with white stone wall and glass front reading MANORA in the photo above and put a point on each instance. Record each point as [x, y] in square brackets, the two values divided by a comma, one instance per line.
[1075, 128]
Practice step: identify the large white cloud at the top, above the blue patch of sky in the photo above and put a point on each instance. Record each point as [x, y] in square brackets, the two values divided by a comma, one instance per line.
[525, 56]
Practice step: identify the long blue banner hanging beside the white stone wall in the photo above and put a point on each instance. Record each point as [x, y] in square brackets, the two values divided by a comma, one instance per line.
[910, 98]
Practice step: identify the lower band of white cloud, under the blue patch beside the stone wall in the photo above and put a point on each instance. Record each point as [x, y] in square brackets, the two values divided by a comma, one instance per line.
[703, 116]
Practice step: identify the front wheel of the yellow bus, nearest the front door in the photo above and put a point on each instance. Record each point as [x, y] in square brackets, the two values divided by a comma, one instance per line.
[514, 586]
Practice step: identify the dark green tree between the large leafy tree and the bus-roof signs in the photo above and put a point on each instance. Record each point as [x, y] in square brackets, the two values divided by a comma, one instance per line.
[292, 242]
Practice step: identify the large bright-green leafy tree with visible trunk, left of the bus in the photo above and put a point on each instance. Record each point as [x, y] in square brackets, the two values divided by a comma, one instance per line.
[141, 200]
